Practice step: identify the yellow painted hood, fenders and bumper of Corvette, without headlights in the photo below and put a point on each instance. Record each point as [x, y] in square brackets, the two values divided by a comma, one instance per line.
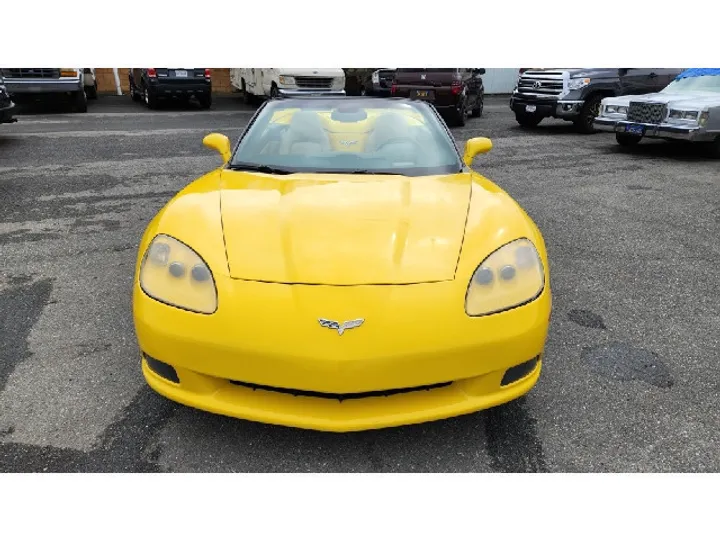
[346, 231]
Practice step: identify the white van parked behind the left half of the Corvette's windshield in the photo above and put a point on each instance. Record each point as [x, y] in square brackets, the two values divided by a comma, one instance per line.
[257, 83]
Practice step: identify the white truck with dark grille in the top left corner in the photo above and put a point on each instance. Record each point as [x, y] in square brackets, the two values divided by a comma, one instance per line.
[71, 84]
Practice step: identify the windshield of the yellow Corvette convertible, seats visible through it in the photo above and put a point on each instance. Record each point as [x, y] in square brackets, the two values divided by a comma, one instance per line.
[347, 136]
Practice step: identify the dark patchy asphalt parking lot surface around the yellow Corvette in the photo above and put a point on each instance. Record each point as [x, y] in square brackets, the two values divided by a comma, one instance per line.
[631, 379]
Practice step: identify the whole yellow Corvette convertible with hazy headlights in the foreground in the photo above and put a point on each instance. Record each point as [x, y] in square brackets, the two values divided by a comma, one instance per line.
[344, 269]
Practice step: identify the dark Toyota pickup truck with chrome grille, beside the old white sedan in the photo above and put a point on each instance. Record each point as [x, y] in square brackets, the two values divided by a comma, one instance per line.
[575, 94]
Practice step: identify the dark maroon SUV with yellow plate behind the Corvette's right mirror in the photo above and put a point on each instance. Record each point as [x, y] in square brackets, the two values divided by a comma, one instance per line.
[455, 92]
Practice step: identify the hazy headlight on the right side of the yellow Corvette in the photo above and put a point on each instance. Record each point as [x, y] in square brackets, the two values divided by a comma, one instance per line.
[509, 277]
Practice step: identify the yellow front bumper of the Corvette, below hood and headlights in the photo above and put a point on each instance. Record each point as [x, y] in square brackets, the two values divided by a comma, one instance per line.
[220, 358]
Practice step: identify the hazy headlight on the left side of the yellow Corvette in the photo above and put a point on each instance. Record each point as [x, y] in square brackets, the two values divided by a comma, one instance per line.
[174, 274]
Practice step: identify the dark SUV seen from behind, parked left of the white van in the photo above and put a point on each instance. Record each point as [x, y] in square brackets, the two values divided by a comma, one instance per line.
[153, 84]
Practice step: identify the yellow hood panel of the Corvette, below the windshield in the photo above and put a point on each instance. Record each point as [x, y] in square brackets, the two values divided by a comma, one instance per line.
[343, 230]
